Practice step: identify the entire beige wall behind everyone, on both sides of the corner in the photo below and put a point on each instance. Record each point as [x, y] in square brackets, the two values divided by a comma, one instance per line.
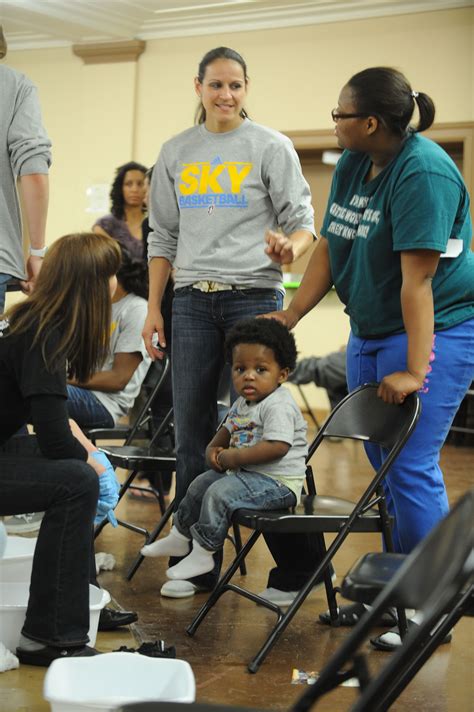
[100, 116]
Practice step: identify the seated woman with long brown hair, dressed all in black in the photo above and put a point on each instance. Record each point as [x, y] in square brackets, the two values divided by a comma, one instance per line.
[62, 328]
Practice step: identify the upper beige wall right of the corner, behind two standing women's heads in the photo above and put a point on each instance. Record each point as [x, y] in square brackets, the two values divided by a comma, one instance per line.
[296, 73]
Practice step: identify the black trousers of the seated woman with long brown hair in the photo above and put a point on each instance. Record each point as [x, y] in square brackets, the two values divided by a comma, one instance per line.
[67, 491]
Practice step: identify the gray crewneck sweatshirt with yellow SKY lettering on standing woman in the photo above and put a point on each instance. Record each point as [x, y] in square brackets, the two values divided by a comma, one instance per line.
[213, 196]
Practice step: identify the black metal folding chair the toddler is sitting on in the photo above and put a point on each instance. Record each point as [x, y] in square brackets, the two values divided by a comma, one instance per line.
[360, 416]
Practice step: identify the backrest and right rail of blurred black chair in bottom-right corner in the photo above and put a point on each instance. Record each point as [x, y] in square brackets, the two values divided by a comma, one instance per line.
[435, 578]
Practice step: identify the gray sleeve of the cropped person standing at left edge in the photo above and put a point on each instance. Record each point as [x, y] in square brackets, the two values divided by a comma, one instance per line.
[28, 144]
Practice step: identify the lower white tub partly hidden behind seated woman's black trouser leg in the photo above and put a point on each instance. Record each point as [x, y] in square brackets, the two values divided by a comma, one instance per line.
[13, 602]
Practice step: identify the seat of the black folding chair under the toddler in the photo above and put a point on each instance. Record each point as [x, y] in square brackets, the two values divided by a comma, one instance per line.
[315, 513]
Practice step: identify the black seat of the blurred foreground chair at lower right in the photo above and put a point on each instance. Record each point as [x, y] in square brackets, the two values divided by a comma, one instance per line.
[369, 575]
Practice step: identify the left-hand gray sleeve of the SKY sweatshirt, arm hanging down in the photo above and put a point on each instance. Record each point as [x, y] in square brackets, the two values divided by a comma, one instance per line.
[164, 212]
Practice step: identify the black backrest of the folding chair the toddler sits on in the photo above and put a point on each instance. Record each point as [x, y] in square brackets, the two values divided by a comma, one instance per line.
[362, 415]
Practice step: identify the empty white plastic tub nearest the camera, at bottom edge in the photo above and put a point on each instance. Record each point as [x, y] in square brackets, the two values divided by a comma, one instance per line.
[106, 682]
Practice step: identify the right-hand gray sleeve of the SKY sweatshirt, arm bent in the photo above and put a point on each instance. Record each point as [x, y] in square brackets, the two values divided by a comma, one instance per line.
[289, 190]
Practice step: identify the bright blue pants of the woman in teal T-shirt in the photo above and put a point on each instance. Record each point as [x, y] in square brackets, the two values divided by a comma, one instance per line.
[416, 494]
